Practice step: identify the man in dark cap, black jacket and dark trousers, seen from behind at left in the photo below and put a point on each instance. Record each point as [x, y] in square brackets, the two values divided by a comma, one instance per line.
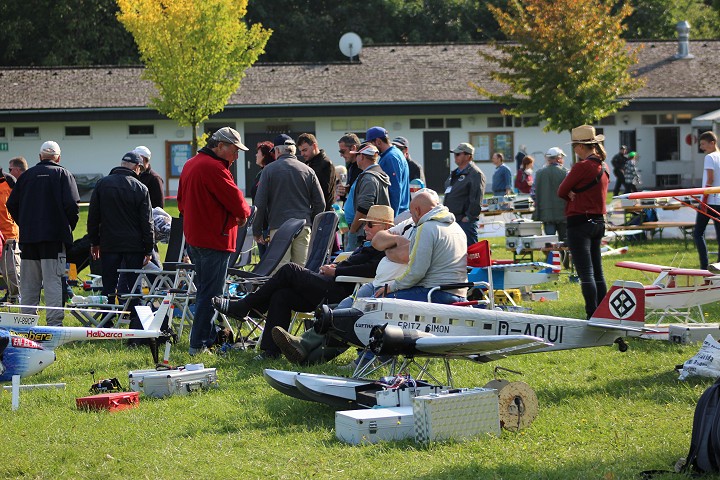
[120, 227]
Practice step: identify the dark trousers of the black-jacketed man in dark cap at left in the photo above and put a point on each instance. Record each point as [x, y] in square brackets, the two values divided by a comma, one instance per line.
[114, 284]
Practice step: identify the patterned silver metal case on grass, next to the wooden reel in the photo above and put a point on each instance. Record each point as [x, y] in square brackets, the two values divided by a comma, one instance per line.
[456, 415]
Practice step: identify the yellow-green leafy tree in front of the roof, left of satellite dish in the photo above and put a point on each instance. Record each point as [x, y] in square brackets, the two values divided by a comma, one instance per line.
[195, 52]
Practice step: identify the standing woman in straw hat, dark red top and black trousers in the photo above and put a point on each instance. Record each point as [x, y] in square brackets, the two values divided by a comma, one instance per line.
[585, 190]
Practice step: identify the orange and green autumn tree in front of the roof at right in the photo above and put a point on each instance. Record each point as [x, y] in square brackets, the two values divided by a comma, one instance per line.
[566, 63]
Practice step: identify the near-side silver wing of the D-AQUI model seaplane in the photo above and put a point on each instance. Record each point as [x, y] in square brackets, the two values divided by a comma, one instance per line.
[478, 345]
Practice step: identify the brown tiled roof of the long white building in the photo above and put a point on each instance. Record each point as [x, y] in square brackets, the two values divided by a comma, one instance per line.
[401, 74]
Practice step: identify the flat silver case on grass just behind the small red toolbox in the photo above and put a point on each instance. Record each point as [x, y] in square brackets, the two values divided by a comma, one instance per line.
[163, 383]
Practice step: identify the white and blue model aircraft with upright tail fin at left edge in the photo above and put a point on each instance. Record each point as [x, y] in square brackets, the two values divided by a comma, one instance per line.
[27, 348]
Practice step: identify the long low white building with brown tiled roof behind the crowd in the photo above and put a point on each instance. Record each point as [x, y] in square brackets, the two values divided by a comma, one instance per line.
[421, 92]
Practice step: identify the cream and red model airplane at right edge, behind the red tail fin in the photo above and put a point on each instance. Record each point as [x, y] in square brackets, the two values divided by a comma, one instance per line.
[675, 292]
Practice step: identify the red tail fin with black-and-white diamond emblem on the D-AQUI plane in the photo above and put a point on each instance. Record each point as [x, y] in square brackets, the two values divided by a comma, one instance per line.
[623, 307]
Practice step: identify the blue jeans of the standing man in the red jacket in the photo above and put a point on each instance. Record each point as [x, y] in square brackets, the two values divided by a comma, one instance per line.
[210, 273]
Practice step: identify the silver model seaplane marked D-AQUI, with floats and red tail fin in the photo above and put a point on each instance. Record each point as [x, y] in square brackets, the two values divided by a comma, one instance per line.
[427, 330]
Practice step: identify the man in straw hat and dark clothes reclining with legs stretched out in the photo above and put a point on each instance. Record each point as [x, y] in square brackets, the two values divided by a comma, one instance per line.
[294, 288]
